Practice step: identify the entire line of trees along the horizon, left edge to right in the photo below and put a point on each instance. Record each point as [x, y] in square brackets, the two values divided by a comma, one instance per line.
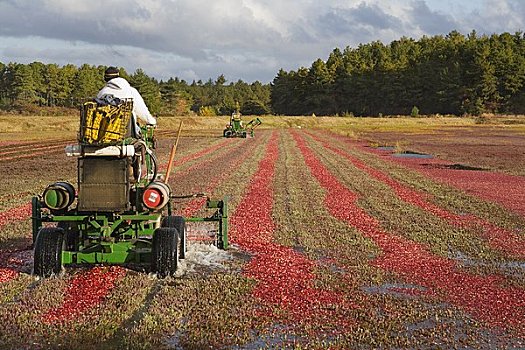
[452, 74]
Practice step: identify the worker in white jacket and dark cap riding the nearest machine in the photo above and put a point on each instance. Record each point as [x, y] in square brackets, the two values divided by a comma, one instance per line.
[117, 87]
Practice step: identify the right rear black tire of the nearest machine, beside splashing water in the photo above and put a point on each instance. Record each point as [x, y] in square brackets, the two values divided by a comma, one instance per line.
[164, 257]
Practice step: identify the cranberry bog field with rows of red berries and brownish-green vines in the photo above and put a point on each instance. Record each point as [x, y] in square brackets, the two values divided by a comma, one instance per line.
[340, 238]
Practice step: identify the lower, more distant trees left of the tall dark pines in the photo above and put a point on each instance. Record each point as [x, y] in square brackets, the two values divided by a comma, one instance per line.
[36, 84]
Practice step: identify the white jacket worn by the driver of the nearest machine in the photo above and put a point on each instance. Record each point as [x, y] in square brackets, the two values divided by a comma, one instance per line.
[120, 88]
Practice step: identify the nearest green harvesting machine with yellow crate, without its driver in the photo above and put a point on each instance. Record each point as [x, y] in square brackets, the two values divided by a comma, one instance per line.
[122, 211]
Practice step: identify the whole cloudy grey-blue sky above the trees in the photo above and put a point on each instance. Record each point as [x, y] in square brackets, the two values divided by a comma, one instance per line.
[242, 39]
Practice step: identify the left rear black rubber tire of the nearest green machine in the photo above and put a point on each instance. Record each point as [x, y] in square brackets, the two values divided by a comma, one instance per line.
[48, 251]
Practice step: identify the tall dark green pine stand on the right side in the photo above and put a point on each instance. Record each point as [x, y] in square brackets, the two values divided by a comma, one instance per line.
[452, 74]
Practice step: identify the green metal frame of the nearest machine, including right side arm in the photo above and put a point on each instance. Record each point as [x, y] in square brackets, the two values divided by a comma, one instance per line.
[118, 238]
